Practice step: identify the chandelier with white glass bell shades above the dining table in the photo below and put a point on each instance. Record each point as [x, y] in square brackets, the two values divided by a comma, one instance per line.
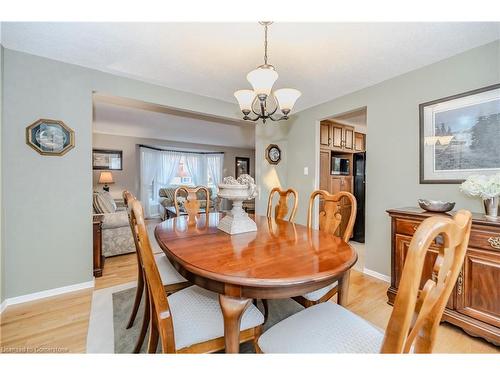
[262, 102]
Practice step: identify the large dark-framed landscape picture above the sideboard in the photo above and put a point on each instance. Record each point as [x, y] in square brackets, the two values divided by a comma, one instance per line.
[460, 136]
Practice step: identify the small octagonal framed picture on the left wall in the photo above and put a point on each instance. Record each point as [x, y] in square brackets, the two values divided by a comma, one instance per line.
[50, 137]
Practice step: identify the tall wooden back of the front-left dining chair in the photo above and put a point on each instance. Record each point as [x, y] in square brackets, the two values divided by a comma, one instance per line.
[161, 316]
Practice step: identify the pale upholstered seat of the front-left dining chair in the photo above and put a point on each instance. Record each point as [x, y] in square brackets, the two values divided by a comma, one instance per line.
[197, 316]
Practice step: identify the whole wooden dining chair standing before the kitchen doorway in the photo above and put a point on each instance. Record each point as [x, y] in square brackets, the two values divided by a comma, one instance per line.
[334, 211]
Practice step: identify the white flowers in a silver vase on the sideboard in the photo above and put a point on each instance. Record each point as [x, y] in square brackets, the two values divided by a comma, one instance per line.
[486, 187]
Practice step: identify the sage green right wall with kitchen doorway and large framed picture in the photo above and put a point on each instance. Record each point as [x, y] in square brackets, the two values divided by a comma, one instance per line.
[392, 178]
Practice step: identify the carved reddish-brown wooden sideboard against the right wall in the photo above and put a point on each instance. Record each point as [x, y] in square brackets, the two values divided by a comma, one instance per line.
[474, 304]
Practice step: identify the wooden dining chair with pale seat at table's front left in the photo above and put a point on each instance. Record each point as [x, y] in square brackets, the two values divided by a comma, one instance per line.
[190, 320]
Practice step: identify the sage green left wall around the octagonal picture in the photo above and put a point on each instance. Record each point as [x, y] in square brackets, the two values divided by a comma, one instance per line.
[48, 200]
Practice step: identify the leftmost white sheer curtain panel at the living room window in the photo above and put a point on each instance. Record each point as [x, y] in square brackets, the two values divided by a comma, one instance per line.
[149, 164]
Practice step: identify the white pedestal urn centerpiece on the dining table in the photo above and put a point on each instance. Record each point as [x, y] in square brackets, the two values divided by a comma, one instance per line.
[237, 190]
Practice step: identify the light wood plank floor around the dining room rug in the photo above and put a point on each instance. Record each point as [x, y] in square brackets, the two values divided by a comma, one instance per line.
[60, 323]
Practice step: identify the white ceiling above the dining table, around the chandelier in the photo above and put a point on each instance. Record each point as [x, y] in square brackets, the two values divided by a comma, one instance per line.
[323, 60]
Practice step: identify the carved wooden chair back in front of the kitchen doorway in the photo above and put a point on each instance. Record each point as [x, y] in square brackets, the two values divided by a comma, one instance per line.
[332, 214]
